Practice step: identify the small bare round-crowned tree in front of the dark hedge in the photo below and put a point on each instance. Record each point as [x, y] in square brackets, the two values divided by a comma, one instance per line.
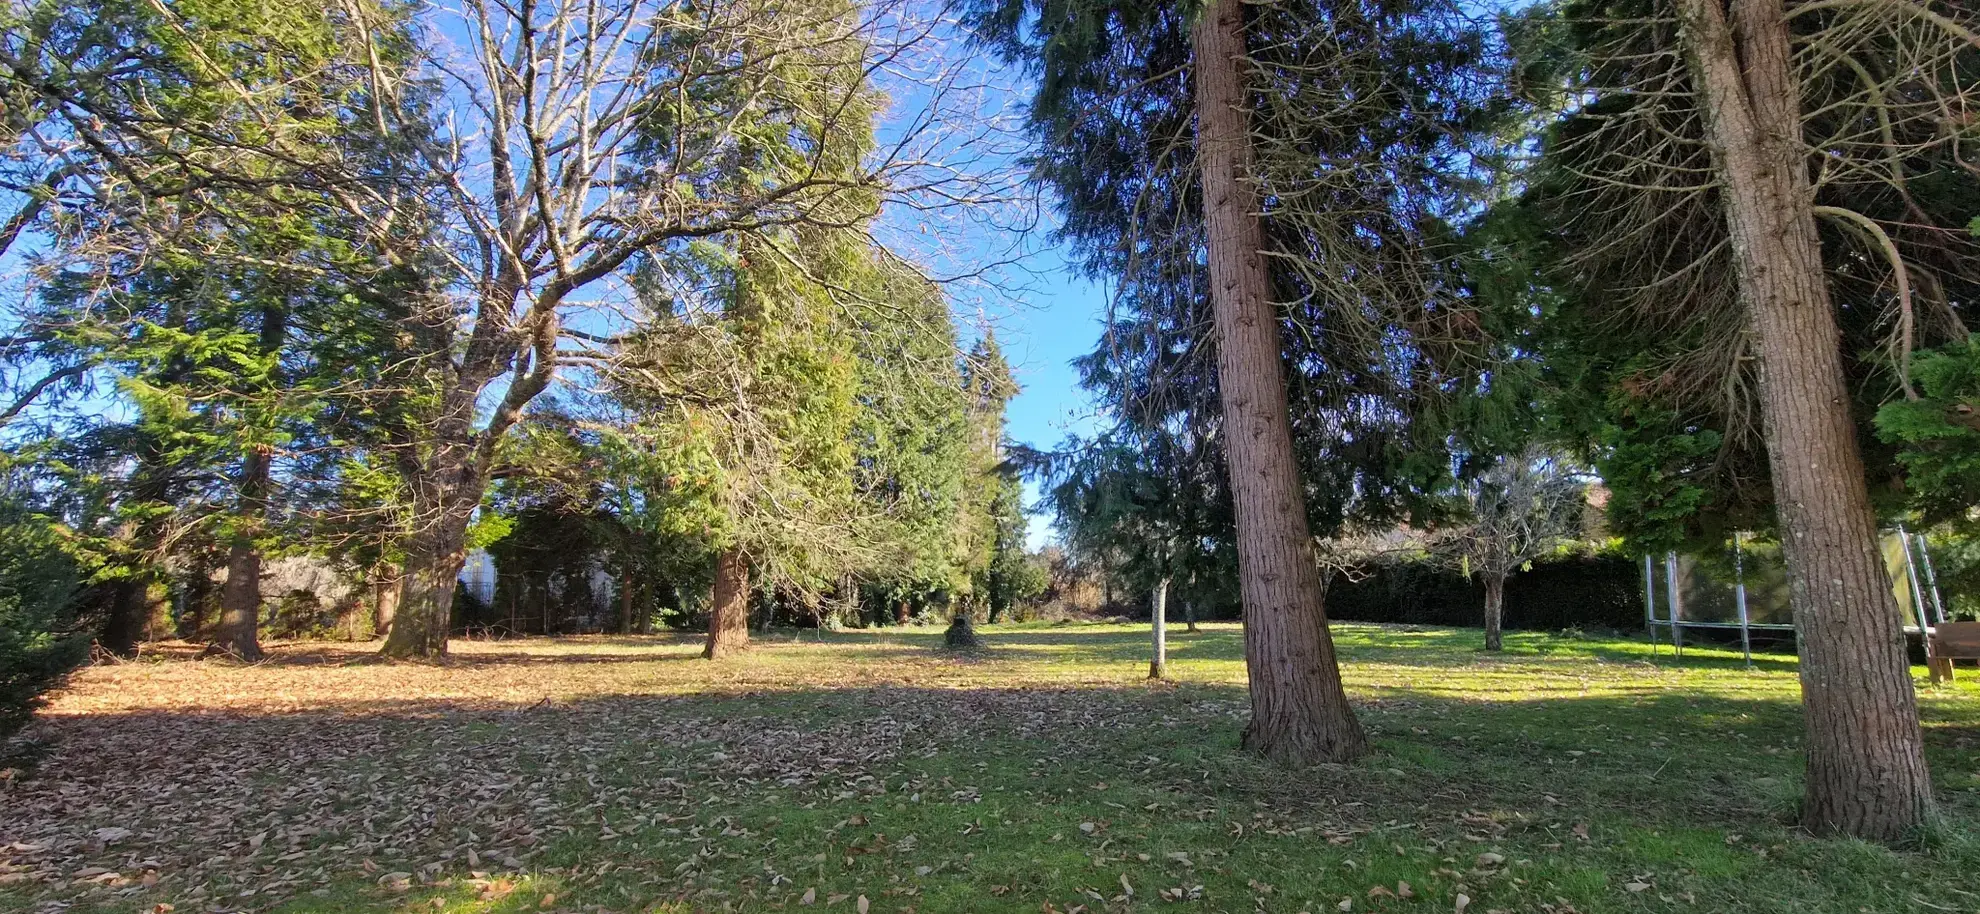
[1522, 509]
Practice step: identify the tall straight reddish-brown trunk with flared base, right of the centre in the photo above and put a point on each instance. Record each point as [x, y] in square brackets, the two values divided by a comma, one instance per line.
[1300, 711]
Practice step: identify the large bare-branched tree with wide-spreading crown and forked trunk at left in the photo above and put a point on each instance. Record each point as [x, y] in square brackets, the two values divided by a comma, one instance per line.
[508, 171]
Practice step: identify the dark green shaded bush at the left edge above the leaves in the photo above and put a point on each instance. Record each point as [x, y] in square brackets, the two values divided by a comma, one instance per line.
[41, 642]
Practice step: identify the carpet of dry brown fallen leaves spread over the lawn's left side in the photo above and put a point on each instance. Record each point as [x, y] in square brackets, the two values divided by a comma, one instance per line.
[458, 784]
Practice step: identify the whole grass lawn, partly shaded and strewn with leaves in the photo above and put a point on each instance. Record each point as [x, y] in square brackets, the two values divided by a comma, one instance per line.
[870, 773]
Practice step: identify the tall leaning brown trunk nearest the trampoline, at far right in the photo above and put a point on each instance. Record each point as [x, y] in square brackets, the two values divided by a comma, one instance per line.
[1866, 763]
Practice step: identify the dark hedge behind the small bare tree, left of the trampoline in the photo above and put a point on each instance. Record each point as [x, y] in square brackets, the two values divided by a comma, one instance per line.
[1577, 593]
